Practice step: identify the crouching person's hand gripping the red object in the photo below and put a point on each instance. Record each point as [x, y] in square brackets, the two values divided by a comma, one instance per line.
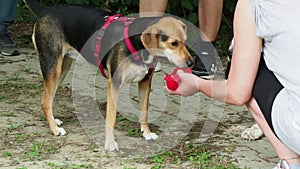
[187, 86]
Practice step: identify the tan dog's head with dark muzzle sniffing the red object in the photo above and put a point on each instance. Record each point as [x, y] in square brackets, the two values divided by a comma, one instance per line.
[167, 38]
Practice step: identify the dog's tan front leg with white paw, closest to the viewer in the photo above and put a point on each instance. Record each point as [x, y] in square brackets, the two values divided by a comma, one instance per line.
[111, 115]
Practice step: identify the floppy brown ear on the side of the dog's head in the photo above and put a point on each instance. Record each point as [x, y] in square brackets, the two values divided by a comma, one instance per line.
[149, 39]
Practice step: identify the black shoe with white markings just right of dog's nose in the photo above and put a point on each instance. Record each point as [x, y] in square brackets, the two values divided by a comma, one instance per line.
[205, 62]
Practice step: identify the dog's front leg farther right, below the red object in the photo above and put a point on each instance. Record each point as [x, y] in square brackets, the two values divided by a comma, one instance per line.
[144, 92]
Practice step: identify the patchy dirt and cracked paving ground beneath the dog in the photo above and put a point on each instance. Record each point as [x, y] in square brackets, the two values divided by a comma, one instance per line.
[26, 141]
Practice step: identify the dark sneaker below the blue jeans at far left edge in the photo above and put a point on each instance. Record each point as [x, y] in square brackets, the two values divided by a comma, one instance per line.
[7, 47]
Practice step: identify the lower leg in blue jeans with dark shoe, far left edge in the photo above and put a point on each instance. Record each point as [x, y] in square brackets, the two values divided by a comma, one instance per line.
[7, 16]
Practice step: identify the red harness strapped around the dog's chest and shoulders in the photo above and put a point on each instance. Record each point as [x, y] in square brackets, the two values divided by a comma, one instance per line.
[127, 21]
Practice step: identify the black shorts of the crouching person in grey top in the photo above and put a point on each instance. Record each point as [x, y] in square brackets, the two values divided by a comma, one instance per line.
[266, 87]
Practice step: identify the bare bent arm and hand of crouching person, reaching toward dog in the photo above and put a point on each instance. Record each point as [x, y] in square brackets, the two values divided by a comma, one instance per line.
[246, 56]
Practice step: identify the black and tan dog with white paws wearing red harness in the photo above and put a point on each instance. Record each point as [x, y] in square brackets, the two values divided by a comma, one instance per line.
[60, 33]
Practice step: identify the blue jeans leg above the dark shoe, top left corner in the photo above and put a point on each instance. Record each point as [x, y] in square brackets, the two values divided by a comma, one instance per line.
[7, 14]
